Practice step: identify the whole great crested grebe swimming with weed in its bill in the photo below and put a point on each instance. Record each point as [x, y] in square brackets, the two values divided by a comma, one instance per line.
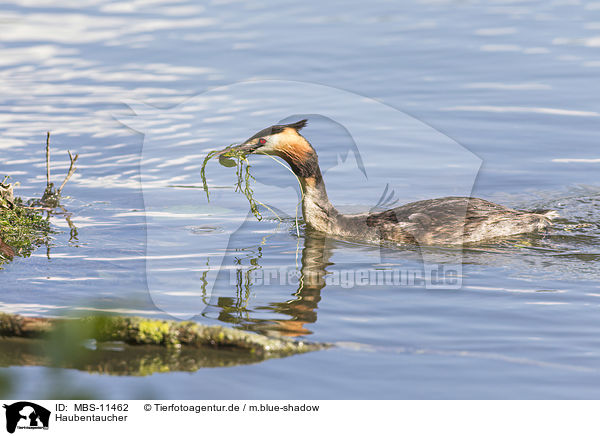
[440, 221]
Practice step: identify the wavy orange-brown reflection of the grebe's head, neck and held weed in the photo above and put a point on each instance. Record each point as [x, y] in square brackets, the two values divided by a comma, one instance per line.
[289, 317]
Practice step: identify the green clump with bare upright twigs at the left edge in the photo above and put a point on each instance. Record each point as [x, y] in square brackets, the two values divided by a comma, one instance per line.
[25, 225]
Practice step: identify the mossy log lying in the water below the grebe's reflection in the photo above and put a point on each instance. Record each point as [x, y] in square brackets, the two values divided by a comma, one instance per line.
[144, 331]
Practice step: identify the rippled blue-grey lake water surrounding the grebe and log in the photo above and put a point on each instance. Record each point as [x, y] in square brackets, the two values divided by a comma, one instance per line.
[508, 85]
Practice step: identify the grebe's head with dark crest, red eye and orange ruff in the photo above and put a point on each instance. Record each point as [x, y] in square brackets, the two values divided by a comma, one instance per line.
[284, 141]
